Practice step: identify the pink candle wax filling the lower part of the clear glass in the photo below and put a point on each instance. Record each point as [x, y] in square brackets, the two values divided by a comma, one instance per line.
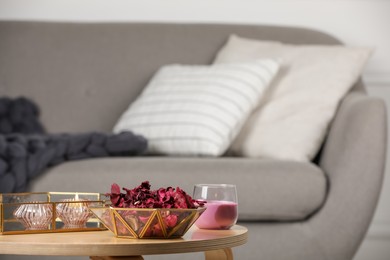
[218, 215]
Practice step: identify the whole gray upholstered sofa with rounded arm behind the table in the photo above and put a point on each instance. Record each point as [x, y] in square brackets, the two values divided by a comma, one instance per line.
[83, 76]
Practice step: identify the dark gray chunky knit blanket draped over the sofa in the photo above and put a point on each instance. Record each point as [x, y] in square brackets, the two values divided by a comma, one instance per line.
[26, 150]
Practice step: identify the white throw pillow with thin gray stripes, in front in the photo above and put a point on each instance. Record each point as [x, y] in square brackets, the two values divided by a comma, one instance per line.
[197, 109]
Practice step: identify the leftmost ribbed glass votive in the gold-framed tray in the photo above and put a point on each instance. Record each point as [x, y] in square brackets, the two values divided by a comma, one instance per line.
[34, 216]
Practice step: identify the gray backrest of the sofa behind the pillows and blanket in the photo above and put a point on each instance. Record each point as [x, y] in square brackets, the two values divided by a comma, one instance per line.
[84, 75]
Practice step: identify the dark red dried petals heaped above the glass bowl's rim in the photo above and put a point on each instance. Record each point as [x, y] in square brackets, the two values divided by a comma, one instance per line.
[143, 197]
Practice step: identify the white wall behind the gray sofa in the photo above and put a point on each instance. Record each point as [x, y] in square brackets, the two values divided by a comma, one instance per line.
[356, 22]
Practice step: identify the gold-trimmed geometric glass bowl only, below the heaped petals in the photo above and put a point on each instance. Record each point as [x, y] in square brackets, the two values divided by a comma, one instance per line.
[147, 223]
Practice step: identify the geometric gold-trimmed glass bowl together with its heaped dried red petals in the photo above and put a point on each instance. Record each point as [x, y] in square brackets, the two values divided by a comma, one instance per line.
[144, 213]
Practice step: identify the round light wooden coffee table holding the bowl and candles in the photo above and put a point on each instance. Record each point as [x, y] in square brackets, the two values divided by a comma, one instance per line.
[216, 244]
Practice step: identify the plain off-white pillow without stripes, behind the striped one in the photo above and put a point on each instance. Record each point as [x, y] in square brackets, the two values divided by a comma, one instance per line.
[293, 119]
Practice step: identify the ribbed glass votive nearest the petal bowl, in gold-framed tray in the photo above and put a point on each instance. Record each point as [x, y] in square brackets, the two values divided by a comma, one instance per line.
[74, 213]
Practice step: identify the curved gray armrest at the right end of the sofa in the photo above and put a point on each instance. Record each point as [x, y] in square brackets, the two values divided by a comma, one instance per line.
[353, 159]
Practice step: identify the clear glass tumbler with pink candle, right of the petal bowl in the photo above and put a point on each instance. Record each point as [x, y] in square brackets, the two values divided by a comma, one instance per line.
[221, 205]
